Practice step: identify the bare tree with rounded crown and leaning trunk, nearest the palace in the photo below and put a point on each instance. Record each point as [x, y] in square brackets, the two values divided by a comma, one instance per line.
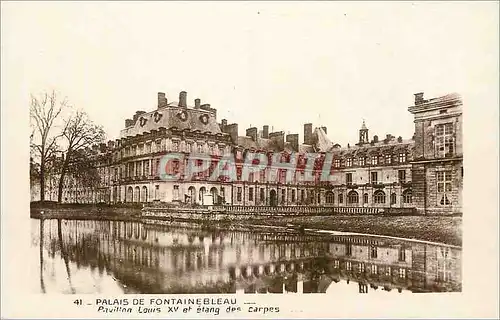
[79, 133]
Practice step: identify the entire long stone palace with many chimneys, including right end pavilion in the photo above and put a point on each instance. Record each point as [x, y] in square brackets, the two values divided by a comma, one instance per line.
[424, 172]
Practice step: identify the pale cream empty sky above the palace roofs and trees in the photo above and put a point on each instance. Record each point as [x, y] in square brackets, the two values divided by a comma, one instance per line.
[282, 64]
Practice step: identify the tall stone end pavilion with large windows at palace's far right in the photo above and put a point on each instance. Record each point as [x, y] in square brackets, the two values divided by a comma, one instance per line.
[437, 167]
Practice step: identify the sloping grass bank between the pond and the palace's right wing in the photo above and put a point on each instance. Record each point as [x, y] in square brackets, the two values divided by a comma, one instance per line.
[443, 229]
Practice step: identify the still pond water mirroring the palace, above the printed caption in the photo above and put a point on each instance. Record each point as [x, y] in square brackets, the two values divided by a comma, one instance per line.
[128, 257]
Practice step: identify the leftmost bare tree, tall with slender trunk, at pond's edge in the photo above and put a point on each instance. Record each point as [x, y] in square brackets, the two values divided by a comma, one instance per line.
[44, 111]
